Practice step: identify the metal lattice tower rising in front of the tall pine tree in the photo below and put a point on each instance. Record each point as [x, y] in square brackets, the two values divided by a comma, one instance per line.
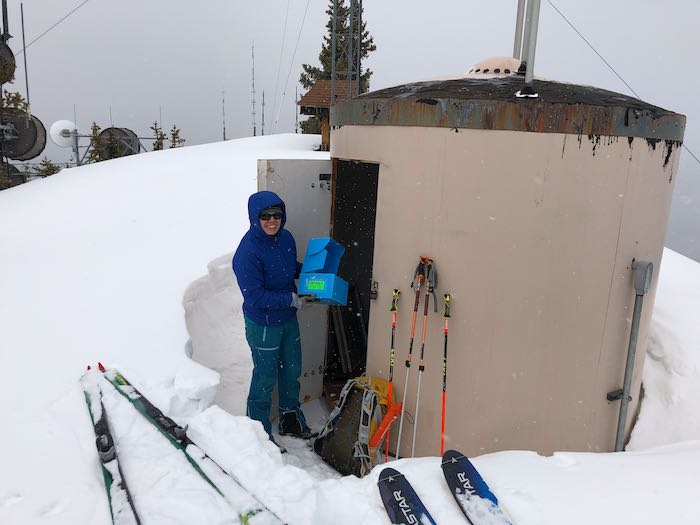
[347, 31]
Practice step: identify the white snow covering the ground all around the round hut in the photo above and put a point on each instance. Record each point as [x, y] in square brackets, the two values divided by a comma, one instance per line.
[95, 265]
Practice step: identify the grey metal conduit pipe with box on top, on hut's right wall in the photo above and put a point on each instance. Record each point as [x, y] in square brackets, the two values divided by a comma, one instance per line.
[642, 275]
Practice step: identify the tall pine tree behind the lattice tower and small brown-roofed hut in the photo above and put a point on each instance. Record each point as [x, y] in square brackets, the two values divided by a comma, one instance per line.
[313, 73]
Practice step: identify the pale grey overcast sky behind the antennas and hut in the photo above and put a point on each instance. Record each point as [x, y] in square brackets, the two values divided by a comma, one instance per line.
[175, 57]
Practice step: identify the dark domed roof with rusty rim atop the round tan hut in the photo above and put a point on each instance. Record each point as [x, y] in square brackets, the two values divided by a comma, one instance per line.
[491, 103]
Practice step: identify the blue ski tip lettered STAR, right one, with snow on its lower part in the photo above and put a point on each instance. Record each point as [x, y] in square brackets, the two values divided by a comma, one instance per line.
[475, 499]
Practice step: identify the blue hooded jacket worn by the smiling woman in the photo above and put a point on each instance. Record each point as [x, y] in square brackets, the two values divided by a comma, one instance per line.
[266, 266]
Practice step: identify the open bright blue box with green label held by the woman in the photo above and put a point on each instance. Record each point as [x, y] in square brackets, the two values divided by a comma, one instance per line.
[318, 273]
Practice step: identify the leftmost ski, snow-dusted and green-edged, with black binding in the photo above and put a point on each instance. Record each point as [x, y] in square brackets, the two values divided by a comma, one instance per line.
[121, 505]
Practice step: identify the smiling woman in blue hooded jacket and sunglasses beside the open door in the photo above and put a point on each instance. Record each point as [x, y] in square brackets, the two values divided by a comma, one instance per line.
[266, 265]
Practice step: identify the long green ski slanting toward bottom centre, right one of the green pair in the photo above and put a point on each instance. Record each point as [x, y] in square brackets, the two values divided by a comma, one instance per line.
[178, 437]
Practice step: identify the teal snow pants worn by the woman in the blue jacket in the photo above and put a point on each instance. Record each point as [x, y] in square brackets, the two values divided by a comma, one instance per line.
[276, 361]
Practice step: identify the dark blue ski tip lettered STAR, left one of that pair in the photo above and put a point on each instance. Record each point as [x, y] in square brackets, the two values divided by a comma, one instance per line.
[401, 502]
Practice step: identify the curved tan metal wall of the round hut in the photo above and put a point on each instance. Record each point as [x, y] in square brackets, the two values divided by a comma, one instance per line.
[533, 234]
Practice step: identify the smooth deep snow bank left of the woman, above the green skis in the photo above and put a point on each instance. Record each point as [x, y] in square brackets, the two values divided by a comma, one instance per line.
[95, 261]
